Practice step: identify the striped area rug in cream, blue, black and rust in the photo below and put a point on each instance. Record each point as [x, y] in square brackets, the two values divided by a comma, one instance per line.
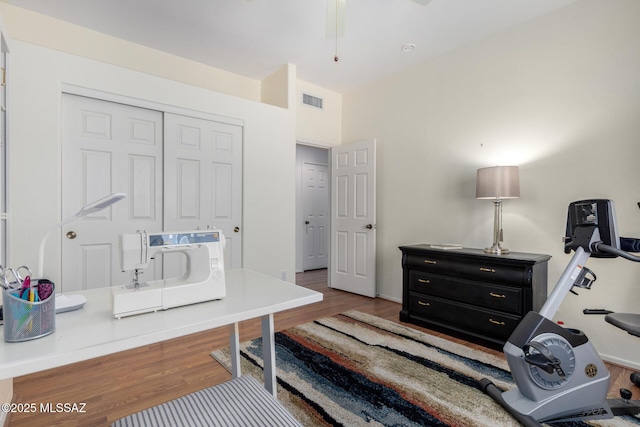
[355, 369]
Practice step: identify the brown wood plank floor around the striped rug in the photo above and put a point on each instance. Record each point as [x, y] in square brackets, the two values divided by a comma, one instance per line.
[117, 385]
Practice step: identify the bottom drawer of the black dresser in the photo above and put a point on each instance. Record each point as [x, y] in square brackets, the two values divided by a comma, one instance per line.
[488, 322]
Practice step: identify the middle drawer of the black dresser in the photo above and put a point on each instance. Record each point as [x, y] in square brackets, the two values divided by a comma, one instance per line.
[497, 297]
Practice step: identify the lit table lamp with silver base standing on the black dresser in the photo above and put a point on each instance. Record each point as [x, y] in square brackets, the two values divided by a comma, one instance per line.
[497, 183]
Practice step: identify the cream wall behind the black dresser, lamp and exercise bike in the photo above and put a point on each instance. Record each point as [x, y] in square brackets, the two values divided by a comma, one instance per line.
[559, 97]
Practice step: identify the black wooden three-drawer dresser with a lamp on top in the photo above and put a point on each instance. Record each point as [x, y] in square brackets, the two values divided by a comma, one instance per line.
[469, 293]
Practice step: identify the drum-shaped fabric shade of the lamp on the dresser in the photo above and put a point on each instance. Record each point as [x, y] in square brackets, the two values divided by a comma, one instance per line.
[498, 182]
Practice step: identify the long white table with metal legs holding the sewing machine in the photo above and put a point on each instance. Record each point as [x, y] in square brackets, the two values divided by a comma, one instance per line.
[92, 331]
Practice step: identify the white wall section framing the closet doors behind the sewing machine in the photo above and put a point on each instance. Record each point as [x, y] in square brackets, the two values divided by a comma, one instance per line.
[37, 74]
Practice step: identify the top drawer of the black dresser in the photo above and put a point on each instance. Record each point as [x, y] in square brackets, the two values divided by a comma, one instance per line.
[471, 268]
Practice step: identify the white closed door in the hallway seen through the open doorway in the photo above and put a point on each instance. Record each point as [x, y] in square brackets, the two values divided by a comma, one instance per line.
[315, 200]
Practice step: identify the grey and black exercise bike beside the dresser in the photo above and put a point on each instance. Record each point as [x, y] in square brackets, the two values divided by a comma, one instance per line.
[558, 373]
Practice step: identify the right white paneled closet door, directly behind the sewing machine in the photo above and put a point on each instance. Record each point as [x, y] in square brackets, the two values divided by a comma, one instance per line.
[203, 179]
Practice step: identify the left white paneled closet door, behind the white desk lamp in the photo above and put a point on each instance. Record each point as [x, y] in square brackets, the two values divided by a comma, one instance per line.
[107, 147]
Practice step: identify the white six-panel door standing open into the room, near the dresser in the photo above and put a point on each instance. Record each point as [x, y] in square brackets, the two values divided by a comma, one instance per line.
[353, 217]
